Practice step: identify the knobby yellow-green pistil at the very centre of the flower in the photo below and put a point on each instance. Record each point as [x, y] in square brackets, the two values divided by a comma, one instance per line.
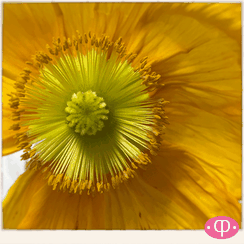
[86, 113]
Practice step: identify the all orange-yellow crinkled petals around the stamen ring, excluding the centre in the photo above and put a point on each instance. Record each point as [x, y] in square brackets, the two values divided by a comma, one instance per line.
[196, 48]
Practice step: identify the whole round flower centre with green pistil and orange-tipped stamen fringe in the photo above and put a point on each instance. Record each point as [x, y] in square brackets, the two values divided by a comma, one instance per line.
[56, 102]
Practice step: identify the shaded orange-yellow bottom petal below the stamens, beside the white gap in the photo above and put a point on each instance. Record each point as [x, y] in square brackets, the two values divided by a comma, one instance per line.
[190, 197]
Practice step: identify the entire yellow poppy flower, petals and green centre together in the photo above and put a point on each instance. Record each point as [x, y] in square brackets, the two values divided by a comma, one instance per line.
[91, 115]
